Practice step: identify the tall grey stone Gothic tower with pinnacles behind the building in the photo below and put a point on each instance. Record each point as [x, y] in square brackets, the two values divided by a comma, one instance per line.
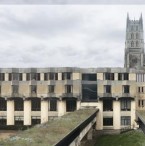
[134, 44]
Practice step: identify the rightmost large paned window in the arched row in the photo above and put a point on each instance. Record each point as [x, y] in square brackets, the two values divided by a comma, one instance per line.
[125, 104]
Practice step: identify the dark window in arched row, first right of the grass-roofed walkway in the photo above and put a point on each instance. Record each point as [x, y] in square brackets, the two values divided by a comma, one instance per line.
[107, 105]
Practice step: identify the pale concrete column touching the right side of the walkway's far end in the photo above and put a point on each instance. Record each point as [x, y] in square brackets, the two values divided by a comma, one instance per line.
[99, 122]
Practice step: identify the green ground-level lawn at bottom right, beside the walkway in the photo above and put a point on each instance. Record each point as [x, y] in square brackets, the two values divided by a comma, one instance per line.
[131, 138]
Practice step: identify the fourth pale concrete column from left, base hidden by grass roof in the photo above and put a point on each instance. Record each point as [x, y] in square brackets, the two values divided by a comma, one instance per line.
[61, 107]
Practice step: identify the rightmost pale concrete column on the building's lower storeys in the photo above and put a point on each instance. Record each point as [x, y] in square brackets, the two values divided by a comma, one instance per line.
[133, 115]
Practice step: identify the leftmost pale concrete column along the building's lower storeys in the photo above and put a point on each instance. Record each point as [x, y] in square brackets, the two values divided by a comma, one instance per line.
[10, 112]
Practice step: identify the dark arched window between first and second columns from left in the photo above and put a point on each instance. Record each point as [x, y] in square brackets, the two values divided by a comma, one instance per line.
[19, 104]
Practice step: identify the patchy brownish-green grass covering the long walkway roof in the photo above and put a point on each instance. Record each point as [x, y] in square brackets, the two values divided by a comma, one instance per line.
[49, 133]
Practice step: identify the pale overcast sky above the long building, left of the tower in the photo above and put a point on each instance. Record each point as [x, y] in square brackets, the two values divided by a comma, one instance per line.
[64, 35]
